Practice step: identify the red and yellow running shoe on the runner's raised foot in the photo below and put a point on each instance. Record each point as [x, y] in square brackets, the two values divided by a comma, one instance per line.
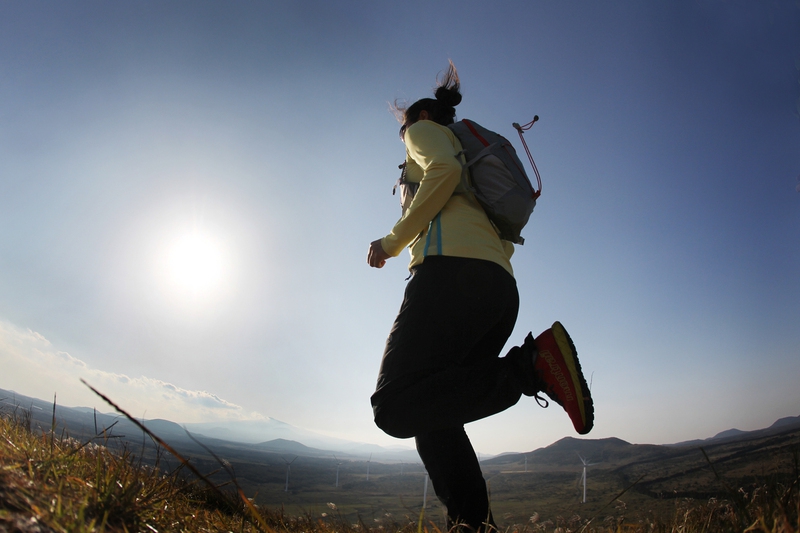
[559, 375]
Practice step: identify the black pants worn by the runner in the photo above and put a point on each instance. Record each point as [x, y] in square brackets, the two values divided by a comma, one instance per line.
[441, 369]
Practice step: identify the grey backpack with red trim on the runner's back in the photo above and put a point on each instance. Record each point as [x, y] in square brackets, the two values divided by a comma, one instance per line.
[497, 178]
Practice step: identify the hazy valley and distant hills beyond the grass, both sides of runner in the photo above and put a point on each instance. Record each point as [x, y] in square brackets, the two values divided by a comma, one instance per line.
[650, 478]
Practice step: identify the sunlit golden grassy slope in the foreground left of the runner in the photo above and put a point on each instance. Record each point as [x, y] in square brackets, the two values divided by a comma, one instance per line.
[51, 482]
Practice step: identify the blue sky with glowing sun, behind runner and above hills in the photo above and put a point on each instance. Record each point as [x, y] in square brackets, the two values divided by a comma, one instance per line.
[666, 238]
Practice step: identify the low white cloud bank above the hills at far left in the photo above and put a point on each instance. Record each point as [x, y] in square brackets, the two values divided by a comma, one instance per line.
[33, 367]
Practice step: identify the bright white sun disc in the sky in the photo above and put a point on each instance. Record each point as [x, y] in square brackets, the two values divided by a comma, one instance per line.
[195, 263]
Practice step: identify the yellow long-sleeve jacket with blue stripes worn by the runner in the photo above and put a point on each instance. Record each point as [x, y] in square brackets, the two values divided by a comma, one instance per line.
[439, 222]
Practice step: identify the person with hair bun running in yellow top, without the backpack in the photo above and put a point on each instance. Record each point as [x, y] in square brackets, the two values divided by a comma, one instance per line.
[441, 366]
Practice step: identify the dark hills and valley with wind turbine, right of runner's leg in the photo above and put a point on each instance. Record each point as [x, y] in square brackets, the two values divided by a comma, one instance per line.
[648, 477]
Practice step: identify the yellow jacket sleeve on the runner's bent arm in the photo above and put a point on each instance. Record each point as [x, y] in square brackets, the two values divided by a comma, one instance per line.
[433, 150]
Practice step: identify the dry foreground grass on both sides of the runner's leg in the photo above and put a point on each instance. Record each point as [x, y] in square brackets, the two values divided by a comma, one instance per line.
[51, 482]
